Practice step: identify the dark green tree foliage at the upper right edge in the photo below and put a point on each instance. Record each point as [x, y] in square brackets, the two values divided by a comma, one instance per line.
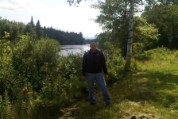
[165, 18]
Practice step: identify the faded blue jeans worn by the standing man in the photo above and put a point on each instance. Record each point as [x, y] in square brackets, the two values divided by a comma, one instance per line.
[102, 85]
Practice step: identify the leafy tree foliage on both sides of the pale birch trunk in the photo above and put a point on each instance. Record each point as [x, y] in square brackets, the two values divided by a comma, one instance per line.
[114, 18]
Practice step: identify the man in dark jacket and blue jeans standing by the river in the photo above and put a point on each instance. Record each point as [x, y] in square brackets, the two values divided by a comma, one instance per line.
[93, 65]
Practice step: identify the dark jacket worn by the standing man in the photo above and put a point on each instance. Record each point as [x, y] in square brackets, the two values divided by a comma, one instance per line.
[94, 62]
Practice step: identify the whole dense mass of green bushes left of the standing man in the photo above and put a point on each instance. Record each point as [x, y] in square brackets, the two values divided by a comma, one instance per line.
[33, 70]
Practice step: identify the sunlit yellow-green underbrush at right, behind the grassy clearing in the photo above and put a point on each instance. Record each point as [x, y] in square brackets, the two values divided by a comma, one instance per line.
[156, 57]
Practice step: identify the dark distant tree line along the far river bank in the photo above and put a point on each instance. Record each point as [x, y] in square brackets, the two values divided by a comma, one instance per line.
[35, 31]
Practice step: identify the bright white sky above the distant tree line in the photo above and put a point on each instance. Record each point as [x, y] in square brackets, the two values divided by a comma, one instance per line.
[54, 13]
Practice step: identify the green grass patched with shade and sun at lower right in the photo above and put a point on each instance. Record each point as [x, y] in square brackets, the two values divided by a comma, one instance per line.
[151, 93]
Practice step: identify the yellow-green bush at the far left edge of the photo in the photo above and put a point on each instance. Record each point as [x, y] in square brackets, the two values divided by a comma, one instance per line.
[7, 73]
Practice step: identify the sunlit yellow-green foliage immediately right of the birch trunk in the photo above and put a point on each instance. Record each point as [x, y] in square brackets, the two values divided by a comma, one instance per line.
[145, 36]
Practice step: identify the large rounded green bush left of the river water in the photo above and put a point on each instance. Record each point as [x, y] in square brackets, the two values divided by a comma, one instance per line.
[33, 60]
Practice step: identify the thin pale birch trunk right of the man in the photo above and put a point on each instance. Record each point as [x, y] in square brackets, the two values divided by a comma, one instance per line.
[130, 37]
